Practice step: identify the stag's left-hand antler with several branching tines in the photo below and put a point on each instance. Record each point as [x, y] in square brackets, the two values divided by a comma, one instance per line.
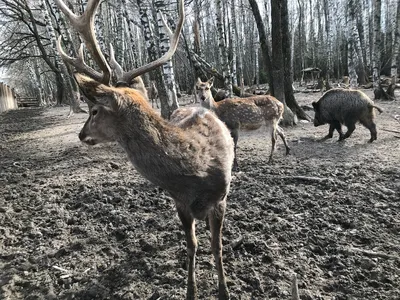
[84, 24]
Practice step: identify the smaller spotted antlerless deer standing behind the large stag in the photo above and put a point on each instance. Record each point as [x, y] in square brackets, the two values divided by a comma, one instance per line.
[247, 113]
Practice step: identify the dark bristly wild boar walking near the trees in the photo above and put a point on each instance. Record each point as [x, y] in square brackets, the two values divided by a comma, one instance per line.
[342, 106]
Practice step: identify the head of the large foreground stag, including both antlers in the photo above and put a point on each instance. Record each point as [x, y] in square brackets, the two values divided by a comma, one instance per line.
[109, 102]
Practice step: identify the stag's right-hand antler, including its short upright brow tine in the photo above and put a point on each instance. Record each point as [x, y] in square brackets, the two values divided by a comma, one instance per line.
[174, 39]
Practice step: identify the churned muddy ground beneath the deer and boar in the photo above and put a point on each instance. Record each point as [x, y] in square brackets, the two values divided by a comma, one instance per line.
[78, 222]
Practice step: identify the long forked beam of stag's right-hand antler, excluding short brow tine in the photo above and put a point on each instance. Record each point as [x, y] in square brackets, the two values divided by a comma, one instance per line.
[129, 76]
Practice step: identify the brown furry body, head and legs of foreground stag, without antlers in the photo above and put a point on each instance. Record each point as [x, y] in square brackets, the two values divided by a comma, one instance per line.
[191, 157]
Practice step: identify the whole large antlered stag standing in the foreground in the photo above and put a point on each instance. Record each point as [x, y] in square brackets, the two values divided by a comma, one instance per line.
[190, 156]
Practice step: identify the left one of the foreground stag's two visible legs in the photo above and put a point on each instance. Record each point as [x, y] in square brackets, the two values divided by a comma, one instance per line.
[191, 245]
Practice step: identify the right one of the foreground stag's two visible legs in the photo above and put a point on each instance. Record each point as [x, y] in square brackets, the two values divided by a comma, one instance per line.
[216, 219]
